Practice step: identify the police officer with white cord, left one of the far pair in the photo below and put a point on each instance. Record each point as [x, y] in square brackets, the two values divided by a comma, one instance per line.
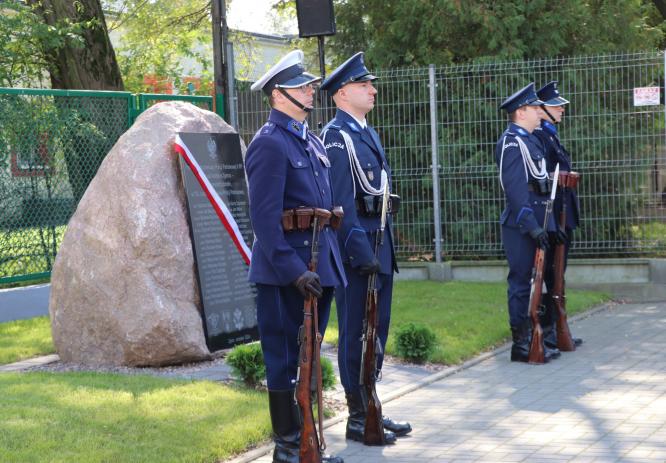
[524, 179]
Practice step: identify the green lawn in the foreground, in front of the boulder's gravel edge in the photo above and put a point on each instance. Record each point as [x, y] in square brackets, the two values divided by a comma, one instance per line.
[103, 418]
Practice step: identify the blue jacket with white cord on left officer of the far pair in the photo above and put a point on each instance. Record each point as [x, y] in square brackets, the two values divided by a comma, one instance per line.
[525, 209]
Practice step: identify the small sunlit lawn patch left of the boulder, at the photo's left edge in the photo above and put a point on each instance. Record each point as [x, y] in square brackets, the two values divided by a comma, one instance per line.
[23, 339]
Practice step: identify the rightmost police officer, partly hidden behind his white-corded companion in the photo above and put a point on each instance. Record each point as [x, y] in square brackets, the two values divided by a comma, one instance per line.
[554, 152]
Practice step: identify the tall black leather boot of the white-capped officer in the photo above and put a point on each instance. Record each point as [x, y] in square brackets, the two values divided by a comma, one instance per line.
[286, 422]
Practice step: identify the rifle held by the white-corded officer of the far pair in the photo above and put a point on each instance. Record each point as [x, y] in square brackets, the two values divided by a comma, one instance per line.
[536, 354]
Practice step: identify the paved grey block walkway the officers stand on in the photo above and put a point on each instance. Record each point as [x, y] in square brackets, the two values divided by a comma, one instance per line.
[606, 402]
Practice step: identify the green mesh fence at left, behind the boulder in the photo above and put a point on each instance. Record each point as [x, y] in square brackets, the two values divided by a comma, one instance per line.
[51, 144]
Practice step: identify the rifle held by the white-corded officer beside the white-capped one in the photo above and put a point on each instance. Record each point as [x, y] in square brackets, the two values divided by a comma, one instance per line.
[373, 433]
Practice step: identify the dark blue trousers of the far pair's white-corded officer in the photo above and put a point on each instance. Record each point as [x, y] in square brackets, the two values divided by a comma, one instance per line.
[519, 249]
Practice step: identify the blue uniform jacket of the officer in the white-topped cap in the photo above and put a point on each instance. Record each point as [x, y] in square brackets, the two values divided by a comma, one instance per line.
[287, 167]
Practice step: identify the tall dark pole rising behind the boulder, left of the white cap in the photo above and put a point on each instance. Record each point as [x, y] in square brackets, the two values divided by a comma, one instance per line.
[220, 32]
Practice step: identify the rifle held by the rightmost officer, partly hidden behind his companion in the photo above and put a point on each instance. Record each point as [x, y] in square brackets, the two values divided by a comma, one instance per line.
[564, 339]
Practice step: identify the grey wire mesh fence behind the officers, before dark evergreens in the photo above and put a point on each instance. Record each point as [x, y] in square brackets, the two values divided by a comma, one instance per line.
[617, 147]
